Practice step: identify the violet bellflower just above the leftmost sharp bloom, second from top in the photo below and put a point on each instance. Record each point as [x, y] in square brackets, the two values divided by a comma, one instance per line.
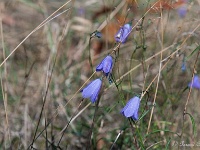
[105, 65]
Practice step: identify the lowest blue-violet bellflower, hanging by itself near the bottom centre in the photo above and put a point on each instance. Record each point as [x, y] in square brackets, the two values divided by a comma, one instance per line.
[131, 108]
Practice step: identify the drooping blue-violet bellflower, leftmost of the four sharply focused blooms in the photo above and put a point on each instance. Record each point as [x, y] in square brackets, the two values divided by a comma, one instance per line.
[92, 90]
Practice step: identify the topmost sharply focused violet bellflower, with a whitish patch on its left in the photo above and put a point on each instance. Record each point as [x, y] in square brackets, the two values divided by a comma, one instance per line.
[123, 33]
